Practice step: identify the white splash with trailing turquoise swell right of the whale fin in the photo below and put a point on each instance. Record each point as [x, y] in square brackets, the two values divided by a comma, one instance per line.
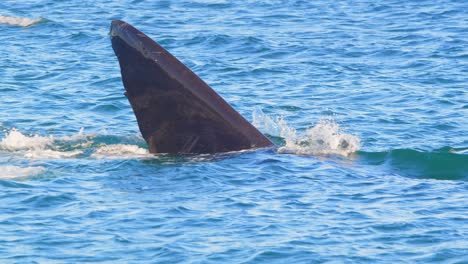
[326, 138]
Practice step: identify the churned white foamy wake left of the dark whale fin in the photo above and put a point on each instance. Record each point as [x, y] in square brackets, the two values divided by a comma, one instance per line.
[16, 147]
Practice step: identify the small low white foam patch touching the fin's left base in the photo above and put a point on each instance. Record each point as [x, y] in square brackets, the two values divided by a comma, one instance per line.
[120, 151]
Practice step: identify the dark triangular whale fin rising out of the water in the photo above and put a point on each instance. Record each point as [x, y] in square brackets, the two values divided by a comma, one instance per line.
[177, 112]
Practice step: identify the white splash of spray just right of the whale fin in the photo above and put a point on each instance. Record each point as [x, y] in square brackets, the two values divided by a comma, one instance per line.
[324, 138]
